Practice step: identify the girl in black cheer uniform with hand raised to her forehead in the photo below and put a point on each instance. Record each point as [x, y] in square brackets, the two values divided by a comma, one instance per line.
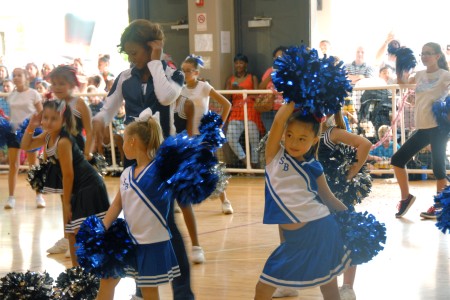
[82, 188]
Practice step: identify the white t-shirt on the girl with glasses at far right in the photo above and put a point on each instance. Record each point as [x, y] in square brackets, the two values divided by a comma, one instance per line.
[429, 88]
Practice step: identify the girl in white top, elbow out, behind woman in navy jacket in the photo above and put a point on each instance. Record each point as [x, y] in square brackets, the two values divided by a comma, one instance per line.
[193, 104]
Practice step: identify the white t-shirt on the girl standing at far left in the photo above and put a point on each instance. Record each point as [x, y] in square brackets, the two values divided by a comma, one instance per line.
[22, 105]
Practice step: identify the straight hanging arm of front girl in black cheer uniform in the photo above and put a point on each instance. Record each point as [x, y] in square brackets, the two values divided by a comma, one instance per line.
[65, 160]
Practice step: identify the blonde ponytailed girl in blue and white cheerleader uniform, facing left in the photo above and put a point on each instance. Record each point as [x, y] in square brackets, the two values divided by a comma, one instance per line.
[145, 211]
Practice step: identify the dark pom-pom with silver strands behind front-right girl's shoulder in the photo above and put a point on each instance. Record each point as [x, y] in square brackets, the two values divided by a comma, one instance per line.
[336, 167]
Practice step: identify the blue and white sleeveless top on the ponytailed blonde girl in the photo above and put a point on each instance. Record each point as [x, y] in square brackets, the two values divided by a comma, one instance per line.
[144, 207]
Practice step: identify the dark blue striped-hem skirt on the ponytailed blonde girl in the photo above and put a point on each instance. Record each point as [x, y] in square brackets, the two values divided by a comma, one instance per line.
[155, 264]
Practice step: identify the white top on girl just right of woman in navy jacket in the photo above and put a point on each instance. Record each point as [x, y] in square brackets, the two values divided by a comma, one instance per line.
[200, 98]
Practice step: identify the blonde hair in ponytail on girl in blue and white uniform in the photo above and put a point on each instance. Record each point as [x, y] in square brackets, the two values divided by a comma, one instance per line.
[149, 132]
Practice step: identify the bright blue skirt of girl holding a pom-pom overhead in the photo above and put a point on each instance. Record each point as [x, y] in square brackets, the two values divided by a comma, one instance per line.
[310, 256]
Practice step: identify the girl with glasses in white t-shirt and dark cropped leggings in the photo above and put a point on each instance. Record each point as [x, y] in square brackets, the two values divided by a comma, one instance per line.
[431, 84]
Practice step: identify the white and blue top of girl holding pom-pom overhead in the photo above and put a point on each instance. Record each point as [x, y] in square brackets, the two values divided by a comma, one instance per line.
[291, 190]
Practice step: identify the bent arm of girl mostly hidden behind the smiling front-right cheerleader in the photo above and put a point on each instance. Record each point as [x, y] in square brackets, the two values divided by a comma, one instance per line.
[361, 144]
